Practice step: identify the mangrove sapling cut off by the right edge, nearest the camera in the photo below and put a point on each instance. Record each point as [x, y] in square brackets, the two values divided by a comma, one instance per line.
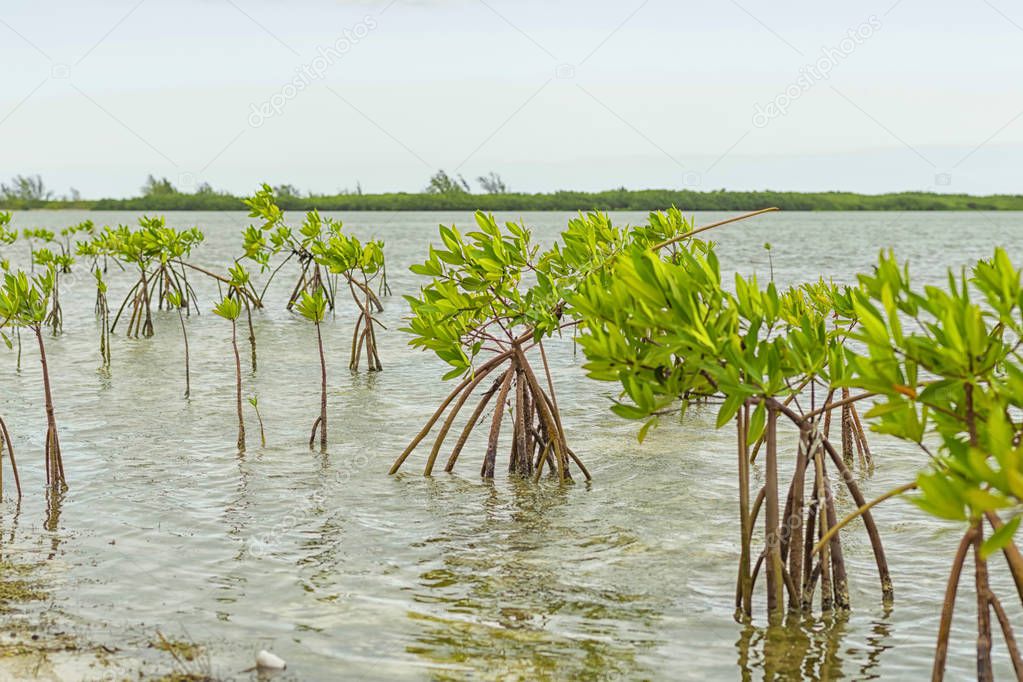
[956, 376]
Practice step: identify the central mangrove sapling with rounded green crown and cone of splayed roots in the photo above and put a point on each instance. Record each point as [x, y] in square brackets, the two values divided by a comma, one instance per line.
[477, 303]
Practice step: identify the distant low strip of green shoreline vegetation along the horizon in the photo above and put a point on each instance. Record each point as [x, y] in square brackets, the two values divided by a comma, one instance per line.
[454, 194]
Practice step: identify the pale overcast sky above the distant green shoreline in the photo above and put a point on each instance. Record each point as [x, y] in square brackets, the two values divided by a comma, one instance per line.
[757, 95]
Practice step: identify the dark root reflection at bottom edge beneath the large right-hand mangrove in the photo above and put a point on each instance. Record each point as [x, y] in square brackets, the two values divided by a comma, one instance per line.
[811, 649]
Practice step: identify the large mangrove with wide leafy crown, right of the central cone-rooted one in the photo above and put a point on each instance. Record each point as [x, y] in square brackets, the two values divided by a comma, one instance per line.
[753, 352]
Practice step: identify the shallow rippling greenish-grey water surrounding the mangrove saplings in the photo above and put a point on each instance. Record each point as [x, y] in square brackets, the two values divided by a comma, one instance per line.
[338, 568]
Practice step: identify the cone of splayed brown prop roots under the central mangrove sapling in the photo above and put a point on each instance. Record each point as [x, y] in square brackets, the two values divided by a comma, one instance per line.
[539, 439]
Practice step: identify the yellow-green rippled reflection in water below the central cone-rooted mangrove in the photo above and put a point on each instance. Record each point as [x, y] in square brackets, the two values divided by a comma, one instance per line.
[500, 605]
